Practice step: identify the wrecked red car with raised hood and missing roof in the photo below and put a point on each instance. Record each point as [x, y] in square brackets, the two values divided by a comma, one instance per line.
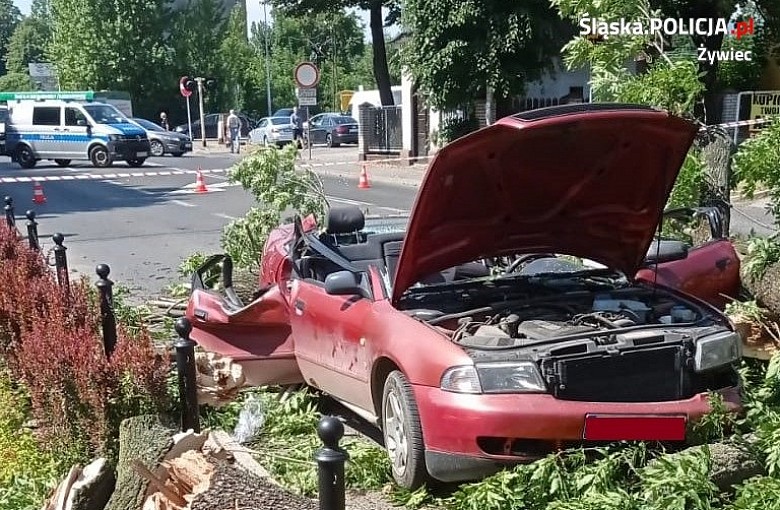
[524, 306]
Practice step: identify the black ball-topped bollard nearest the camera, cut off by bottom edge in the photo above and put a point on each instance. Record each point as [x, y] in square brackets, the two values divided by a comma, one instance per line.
[330, 464]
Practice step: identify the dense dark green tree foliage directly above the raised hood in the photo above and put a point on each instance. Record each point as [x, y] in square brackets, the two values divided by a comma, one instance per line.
[456, 50]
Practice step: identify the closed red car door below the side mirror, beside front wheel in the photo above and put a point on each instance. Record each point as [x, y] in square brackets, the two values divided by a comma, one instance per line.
[330, 342]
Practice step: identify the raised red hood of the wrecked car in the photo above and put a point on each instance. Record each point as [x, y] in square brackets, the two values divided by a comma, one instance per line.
[586, 180]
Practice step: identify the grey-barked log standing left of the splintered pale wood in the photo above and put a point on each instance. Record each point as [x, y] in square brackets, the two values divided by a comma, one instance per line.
[147, 438]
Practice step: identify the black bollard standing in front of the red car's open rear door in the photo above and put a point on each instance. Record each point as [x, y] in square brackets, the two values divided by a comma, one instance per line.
[185, 367]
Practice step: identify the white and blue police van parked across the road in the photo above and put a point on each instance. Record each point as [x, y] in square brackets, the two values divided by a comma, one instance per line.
[63, 130]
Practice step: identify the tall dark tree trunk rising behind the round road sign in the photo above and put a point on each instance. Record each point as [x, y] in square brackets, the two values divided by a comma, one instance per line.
[377, 25]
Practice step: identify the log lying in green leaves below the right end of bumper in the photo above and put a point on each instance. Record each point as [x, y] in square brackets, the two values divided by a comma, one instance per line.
[732, 464]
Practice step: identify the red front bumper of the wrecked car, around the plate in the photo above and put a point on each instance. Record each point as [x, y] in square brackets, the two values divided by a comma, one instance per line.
[462, 431]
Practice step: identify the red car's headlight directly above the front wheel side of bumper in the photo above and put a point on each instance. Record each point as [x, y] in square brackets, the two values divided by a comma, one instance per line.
[499, 377]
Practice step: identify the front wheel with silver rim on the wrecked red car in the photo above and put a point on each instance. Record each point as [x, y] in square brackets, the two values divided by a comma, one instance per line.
[402, 432]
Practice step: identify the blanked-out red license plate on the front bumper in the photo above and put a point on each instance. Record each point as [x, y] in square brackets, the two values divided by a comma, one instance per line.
[622, 427]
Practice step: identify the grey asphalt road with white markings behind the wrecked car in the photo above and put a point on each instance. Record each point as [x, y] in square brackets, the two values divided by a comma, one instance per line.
[142, 226]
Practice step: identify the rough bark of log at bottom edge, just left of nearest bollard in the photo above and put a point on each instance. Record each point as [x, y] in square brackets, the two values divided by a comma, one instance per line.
[233, 487]
